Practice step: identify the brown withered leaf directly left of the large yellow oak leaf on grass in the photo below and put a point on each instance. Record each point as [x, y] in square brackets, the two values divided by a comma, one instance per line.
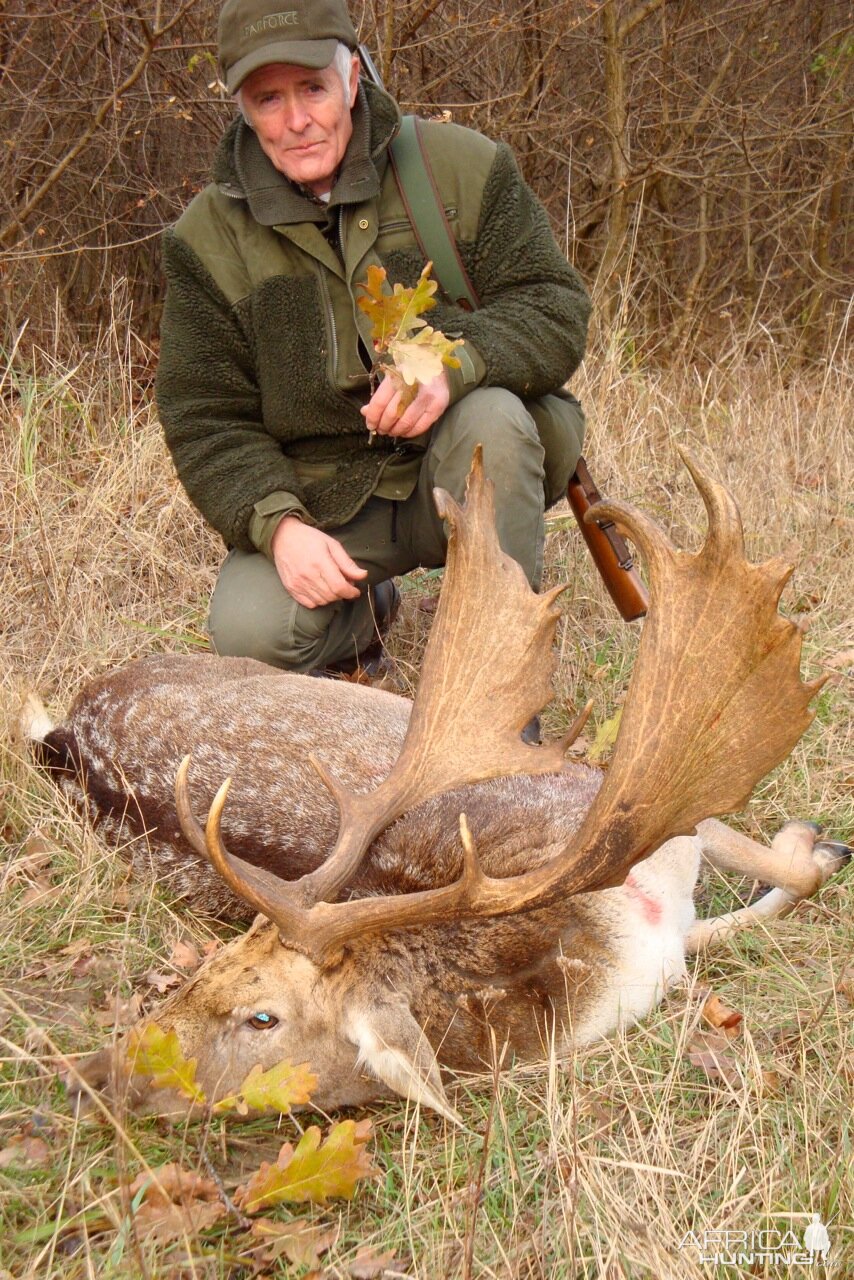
[175, 1204]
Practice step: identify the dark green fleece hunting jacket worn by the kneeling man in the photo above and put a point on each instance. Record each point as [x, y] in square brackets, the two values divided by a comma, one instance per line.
[264, 358]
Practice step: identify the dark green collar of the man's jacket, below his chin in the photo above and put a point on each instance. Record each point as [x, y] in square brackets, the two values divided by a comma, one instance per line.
[243, 171]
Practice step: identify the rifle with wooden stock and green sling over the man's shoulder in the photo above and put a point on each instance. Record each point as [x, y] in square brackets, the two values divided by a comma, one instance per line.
[412, 168]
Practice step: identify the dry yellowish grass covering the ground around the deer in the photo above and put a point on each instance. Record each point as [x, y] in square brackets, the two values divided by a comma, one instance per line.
[596, 1168]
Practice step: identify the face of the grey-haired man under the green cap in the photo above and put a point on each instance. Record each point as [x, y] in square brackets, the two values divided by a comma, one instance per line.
[303, 120]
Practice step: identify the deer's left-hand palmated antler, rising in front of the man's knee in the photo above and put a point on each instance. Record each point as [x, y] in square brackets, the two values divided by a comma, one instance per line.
[487, 671]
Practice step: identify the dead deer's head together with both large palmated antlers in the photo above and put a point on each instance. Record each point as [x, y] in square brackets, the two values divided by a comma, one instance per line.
[715, 702]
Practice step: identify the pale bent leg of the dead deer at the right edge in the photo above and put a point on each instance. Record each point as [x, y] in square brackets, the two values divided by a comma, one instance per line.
[797, 865]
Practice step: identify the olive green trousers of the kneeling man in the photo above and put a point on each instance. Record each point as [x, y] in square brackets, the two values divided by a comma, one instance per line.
[531, 450]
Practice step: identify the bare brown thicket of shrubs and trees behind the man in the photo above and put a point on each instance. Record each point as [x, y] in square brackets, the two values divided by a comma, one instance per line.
[693, 157]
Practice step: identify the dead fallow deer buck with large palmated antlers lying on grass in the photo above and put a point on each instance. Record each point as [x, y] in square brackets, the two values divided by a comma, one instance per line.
[560, 906]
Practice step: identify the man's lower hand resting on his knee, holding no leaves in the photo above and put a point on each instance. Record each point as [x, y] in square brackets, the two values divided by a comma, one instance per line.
[313, 566]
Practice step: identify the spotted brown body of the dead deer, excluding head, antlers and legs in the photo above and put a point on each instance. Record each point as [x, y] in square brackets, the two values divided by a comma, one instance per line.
[120, 751]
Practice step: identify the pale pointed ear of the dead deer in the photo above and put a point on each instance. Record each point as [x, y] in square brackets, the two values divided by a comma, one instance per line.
[395, 1049]
